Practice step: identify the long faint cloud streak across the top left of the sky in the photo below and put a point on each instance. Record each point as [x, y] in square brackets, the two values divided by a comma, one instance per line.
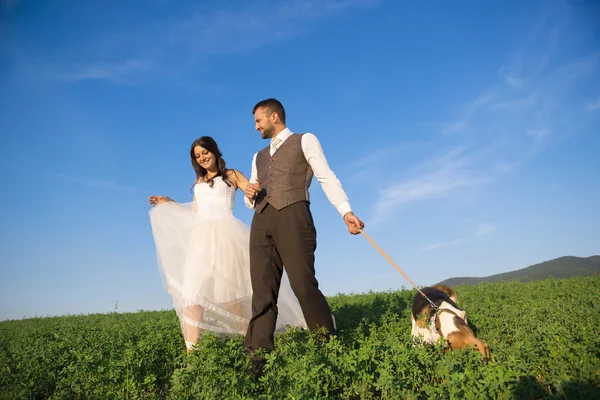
[184, 43]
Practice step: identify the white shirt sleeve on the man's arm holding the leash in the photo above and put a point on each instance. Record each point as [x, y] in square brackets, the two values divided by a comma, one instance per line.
[331, 184]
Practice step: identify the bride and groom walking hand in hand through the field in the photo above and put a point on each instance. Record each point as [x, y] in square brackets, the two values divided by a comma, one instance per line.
[226, 278]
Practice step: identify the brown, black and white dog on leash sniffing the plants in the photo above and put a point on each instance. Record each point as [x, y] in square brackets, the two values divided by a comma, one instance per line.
[449, 322]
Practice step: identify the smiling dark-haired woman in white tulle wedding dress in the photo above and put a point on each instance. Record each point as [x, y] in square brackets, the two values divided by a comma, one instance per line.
[203, 255]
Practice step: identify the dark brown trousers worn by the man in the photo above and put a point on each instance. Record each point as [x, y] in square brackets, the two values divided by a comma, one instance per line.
[285, 238]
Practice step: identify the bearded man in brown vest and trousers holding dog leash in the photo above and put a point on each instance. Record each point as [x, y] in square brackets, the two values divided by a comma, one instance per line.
[282, 231]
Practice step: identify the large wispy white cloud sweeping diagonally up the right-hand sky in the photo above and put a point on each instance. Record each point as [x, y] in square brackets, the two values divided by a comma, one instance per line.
[534, 102]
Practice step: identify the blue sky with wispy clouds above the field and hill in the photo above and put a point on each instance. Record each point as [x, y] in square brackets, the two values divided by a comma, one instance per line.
[465, 136]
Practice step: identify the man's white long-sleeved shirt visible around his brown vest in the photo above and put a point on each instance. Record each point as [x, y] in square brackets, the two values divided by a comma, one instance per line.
[311, 147]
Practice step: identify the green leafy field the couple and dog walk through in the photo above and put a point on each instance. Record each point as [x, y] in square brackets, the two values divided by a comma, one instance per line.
[544, 337]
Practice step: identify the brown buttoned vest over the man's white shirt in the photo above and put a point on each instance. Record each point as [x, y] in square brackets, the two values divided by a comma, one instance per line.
[285, 177]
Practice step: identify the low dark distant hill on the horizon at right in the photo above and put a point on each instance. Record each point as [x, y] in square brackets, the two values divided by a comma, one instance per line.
[562, 267]
